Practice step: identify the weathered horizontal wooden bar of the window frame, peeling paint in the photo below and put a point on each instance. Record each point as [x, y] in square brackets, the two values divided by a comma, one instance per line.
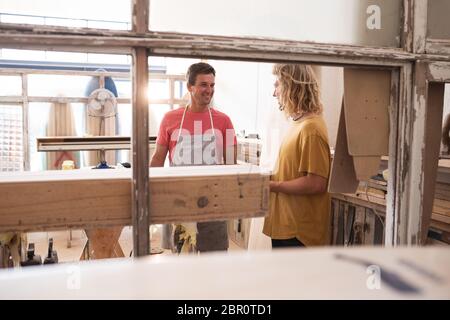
[205, 46]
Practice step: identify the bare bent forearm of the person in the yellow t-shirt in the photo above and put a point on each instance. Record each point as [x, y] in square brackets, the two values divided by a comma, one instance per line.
[309, 184]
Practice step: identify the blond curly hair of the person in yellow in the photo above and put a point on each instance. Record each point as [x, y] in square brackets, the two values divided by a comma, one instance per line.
[299, 89]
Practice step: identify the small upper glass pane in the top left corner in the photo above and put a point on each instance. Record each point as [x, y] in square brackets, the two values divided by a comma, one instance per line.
[101, 14]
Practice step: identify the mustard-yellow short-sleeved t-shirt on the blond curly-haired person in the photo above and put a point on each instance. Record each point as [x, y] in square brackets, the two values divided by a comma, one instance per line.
[304, 150]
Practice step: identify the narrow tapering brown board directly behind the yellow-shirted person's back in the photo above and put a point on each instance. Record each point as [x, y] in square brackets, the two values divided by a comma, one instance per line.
[342, 176]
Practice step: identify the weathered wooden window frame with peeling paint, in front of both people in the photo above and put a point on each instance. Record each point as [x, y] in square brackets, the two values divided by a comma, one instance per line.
[406, 129]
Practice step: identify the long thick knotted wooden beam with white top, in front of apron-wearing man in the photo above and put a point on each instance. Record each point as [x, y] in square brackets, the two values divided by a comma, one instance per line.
[98, 198]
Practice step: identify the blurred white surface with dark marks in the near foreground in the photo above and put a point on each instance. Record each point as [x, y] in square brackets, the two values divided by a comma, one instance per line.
[283, 274]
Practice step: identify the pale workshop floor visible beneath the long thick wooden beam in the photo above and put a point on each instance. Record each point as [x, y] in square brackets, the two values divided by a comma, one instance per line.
[70, 244]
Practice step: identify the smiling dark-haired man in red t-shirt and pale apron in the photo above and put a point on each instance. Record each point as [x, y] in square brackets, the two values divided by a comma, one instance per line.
[198, 135]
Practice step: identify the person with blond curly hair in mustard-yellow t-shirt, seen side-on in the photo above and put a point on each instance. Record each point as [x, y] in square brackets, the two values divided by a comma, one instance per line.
[299, 212]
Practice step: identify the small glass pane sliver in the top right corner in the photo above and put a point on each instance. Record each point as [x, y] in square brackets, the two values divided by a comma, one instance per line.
[438, 21]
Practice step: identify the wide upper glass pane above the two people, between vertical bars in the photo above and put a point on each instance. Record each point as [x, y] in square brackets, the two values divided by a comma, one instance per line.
[359, 22]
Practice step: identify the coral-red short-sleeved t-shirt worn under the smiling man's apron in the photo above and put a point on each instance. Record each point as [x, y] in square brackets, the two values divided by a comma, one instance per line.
[170, 125]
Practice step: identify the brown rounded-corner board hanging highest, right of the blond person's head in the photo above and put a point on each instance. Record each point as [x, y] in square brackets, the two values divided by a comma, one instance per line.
[367, 99]
